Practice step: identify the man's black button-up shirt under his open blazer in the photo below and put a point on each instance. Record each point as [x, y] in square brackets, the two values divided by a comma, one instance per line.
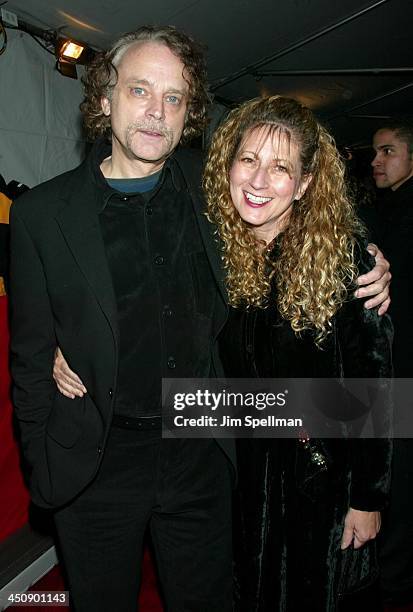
[158, 266]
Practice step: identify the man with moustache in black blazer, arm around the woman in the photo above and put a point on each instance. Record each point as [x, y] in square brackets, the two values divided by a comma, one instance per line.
[115, 263]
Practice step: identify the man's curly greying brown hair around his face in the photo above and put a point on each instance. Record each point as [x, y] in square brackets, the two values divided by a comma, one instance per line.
[101, 77]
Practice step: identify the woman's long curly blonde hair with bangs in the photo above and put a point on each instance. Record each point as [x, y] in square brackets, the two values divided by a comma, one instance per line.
[314, 267]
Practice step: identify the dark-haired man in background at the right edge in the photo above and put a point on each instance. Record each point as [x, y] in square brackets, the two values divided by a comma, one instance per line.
[393, 175]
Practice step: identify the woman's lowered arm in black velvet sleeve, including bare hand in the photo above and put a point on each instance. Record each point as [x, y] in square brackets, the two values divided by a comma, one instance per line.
[365, 342]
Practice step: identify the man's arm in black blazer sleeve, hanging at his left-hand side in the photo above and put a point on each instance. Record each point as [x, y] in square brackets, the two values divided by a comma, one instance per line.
[33, 340]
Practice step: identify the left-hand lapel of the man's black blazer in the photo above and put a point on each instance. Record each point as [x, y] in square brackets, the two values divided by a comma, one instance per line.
[80, 227]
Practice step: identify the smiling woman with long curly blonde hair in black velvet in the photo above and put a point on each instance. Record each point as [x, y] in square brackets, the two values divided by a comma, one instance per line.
[306, 514]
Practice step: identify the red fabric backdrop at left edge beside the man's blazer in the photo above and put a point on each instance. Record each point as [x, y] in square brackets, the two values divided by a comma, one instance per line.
[14, 498]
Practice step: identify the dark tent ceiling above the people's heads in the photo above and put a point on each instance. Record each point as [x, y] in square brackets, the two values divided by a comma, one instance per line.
[248, 40]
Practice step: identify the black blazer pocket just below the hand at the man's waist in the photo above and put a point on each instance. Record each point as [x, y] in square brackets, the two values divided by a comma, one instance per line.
[64, 424]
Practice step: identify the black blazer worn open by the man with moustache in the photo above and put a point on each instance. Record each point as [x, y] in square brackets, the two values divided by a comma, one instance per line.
[62, 295]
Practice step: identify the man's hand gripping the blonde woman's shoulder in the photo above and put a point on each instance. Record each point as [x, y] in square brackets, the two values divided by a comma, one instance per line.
[376, 282]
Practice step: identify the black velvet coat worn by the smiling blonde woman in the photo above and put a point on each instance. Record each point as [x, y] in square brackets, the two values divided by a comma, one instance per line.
[289, 509]
